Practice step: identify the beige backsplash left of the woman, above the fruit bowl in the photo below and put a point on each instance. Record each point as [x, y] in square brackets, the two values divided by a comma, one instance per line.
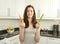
[5, 23]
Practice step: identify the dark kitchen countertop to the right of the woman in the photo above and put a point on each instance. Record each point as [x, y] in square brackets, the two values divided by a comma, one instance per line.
[48, 33]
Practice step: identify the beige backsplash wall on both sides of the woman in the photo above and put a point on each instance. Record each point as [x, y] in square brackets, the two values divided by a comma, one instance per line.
[45, 24]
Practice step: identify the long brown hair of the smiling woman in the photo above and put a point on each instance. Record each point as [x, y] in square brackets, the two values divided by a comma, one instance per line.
[26, 17]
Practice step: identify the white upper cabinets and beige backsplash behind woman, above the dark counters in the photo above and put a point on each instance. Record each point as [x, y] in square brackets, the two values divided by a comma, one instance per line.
[11, 9]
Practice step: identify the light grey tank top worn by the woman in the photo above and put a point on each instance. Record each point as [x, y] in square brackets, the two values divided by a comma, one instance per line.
[29, 36]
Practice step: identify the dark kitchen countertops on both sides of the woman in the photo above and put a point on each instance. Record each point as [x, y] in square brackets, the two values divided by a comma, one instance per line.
[45, 33]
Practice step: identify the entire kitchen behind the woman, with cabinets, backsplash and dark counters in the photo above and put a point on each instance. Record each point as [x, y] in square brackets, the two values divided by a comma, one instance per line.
[10, 10]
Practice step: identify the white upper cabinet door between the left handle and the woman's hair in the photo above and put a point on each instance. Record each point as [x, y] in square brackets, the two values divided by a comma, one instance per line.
[17, 8]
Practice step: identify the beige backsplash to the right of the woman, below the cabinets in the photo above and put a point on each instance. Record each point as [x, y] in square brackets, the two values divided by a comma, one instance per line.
[48, 24]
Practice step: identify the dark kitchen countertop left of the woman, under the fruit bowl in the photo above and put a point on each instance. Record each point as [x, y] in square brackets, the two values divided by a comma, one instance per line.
[5, 34]
